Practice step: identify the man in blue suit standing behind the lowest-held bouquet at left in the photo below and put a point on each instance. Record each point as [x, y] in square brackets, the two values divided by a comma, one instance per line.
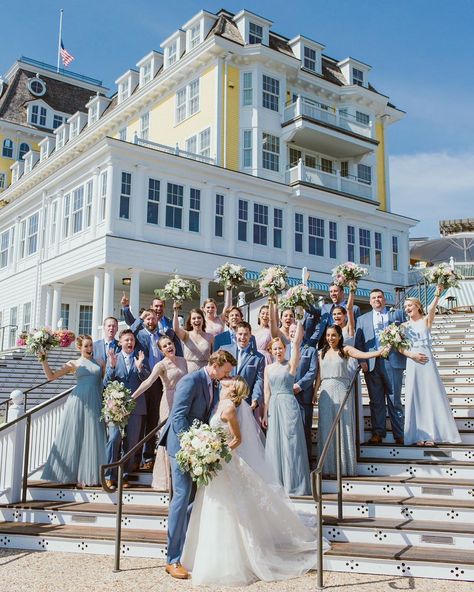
[130, 367]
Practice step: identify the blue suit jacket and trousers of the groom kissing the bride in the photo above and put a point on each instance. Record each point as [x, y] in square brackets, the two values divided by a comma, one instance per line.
[192, 400]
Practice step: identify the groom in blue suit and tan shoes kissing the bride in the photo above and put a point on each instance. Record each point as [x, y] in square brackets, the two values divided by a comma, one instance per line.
[194, 398]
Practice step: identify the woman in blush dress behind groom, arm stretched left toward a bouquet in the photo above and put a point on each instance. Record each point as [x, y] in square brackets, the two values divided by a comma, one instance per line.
[170, 370]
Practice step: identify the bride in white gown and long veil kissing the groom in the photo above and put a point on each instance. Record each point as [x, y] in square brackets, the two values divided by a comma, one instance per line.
[242, 526]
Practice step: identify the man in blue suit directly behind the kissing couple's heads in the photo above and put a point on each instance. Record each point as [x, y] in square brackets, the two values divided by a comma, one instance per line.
[250, 363]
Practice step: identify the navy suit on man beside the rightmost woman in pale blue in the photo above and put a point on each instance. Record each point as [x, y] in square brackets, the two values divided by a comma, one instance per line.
[384, 377]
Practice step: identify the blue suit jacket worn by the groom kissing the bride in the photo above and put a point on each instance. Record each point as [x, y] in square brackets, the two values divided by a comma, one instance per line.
[191, 401]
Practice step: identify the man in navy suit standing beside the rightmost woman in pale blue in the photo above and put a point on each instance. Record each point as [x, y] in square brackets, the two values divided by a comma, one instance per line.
[383, 376]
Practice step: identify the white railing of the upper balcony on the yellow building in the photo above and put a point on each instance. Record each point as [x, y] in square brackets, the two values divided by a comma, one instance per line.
[341, 119]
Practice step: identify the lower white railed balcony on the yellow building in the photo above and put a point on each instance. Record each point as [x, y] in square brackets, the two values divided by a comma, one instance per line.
[318, 177]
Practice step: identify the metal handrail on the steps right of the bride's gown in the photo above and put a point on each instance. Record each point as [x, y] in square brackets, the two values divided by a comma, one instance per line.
[317, 477]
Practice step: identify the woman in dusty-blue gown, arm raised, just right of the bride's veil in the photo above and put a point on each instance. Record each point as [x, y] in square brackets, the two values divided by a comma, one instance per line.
[285, 449]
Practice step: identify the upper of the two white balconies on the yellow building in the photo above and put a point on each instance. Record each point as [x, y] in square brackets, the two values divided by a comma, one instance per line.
[336, 133]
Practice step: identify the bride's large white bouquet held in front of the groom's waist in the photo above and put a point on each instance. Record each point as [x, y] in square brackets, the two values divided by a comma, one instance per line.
[202, 451]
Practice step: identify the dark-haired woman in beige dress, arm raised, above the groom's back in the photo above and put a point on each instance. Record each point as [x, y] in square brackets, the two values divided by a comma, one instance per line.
[197, 344]
